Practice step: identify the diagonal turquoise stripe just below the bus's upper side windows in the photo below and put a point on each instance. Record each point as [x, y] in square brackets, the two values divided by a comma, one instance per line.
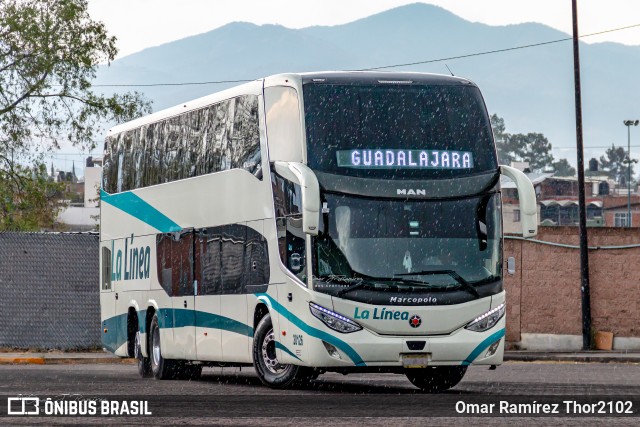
[139, 209]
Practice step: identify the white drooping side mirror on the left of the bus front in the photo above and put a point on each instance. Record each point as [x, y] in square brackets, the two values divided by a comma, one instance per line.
[301, 174]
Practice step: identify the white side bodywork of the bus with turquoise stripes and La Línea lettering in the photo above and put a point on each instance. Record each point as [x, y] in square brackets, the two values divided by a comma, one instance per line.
[218, 199]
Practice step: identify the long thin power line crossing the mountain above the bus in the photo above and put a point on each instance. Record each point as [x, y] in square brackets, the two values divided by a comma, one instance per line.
[383, 67]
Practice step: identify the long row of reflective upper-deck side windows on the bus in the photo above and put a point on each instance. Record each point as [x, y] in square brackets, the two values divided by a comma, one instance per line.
[215, 138]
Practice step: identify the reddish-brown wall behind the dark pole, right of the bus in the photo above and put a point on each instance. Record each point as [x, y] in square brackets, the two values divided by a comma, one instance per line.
[544, 295]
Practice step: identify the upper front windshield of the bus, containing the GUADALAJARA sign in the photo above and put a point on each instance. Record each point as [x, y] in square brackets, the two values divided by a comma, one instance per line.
[398, 131]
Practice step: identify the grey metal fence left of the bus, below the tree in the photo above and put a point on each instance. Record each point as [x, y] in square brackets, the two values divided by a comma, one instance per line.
[49, 291]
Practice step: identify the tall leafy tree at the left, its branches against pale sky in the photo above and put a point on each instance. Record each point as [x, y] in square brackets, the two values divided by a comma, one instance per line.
[49, 53]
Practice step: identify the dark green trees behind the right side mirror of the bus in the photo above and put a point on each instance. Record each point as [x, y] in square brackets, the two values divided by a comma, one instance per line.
[534, 148]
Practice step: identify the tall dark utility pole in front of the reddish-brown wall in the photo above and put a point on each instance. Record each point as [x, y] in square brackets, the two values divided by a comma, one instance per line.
[584, 245]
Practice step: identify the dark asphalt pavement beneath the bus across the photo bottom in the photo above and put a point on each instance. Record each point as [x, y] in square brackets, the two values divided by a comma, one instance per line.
[233, 396]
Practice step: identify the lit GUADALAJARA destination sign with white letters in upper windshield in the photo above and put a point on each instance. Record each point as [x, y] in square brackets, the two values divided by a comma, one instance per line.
[404, 159]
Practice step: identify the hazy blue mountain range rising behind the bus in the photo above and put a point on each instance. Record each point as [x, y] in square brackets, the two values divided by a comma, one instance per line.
[531, 88]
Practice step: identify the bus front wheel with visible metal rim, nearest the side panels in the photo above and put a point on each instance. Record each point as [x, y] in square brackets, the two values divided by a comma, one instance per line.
[269, 370]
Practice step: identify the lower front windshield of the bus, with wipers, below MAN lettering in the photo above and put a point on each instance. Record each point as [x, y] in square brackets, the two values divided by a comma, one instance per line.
[425, 242]
